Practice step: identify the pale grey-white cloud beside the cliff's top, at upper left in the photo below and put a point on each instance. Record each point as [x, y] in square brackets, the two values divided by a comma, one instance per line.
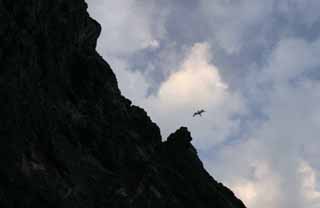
[127, 25]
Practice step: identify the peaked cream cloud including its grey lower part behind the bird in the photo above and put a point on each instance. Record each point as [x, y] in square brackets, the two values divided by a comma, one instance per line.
[196, 84]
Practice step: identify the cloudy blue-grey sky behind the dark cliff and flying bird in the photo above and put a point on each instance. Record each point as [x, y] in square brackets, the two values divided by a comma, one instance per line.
[253, 65]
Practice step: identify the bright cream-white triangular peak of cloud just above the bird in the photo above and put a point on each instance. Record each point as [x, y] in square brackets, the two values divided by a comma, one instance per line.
[195, 82]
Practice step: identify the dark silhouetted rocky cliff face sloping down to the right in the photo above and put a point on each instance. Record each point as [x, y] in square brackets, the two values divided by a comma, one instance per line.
[67, 136]
